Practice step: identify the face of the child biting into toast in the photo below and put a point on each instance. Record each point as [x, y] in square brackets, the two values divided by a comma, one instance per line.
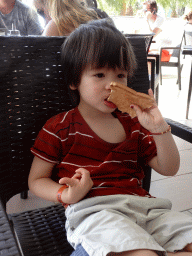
[94, 88]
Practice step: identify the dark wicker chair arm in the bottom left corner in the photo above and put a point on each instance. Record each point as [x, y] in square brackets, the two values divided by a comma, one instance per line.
[8, 246]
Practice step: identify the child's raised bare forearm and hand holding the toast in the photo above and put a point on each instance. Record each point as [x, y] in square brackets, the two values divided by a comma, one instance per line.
[167, 160]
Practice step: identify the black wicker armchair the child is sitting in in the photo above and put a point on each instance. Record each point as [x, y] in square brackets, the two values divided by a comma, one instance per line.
[32, 90]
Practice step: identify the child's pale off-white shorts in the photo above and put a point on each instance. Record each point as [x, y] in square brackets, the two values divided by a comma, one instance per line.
[120, 223]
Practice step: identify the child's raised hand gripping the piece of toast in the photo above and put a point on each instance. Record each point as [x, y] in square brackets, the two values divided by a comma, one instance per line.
[151, 119]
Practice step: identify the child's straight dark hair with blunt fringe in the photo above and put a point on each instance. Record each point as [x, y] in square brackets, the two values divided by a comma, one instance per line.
[97, 44]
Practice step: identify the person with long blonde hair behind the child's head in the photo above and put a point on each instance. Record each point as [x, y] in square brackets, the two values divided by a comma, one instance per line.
[63, 16]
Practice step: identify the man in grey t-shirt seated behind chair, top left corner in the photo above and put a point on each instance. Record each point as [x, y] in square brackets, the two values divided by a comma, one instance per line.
[13, 13]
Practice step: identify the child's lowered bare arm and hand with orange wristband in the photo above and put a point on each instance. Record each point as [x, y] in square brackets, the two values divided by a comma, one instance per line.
[41, 184]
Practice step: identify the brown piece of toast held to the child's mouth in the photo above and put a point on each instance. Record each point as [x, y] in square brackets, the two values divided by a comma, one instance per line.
[123, 96]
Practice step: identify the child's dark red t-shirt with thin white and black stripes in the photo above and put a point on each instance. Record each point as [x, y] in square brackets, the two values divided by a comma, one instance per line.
[115, 168]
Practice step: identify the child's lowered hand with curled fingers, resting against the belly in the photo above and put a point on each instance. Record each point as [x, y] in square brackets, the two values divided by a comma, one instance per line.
[79, 185]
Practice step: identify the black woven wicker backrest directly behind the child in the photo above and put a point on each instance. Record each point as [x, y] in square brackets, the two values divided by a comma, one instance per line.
[33, 90]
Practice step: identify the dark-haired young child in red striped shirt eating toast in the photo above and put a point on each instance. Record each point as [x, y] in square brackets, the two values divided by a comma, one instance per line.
[97, 154]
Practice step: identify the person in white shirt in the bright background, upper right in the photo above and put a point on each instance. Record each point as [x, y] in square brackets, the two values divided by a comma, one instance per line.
[154, 20]
